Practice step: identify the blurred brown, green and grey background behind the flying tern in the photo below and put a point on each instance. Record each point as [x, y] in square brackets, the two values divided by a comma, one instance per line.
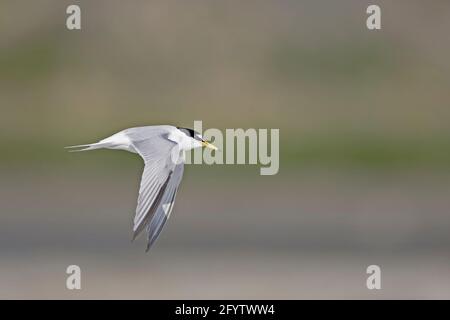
[364, 163]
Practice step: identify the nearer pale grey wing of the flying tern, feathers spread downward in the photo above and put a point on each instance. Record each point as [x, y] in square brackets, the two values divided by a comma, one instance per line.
[159, 179]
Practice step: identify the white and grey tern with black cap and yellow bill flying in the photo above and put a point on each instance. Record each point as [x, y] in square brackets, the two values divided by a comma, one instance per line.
[163, 150]
